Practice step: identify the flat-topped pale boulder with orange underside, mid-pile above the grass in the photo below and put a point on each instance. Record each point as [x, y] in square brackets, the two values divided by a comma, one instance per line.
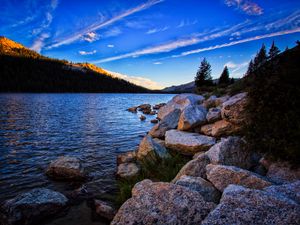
[188, 143]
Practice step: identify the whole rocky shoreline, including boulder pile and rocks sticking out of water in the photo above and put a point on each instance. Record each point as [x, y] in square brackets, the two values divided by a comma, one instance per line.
[223, 183]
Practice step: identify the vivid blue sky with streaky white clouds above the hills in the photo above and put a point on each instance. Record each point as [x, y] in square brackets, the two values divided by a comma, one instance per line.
[154, 43]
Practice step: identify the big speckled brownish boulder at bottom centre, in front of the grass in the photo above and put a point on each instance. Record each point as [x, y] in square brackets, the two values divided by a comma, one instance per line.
[162, 203]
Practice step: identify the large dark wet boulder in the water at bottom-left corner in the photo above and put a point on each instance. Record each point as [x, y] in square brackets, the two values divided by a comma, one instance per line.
[32, 207]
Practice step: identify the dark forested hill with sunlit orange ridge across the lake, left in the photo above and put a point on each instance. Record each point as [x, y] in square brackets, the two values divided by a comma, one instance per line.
[24, 70]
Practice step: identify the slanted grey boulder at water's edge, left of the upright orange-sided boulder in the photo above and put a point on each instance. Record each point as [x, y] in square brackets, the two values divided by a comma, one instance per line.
[169, 122]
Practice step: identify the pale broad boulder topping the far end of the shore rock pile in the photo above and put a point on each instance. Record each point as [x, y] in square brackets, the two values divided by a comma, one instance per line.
[179, 102]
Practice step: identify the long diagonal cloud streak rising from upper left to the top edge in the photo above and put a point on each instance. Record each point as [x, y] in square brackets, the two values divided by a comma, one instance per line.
[98, 25]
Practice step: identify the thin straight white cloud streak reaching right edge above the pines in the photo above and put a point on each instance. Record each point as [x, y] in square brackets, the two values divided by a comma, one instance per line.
[258, 37]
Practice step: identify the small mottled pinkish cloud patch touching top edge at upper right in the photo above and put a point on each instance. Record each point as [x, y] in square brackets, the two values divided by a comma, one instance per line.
[246, 6]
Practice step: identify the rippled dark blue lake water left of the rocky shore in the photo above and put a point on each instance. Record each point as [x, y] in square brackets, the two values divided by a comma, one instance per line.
[37, 128]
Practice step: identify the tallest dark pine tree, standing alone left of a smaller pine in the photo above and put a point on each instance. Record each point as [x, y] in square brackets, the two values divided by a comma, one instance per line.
[203, 76]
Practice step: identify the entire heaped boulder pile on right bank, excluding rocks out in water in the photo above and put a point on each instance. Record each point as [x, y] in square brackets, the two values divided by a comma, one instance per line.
[223, 183]
